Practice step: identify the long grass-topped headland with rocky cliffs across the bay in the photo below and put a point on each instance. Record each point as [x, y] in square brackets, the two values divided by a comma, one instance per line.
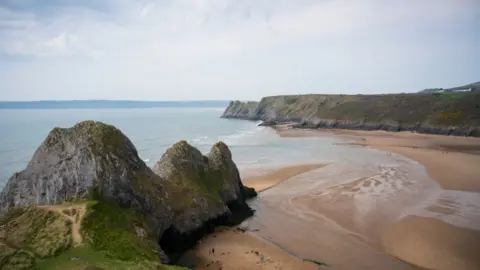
[435, 113]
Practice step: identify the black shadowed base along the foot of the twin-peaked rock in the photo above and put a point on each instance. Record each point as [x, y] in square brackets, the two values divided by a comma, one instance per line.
[174, 243]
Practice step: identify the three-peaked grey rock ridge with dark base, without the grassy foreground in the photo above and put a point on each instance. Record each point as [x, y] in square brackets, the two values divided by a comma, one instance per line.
[94, 161]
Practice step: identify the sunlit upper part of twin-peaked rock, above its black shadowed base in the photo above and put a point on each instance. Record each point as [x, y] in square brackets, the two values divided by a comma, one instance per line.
[208, 184]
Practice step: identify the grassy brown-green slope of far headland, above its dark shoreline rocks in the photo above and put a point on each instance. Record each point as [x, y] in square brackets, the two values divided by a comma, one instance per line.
[439, 109]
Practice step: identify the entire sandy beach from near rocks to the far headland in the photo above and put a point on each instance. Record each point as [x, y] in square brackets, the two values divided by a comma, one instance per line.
[423, 213]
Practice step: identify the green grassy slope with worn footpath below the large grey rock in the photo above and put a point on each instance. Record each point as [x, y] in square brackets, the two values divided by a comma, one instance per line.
[114, 238]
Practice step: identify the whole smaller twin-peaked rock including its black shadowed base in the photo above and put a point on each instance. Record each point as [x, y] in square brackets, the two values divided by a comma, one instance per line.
[205, 191]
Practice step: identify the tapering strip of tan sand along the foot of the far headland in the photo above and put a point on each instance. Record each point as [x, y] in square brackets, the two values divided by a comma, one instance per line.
[451, 161]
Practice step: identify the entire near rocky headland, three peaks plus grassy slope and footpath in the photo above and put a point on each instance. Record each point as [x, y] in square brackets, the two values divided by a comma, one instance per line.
[87, 201]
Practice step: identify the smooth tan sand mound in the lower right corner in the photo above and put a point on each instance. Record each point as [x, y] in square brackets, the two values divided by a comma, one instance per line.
[434, 244]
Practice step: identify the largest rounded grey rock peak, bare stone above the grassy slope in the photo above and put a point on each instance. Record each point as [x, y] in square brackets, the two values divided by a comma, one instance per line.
[91, 160]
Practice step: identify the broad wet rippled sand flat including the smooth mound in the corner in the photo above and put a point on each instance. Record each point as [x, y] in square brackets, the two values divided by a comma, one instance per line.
[369, 210]
